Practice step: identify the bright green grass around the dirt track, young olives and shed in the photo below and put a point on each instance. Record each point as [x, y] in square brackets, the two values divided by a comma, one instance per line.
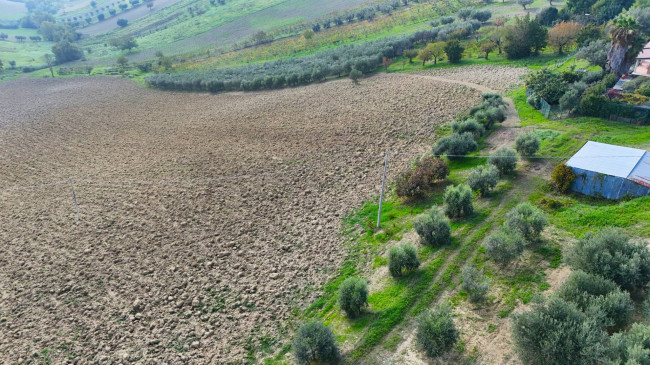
[397, 300]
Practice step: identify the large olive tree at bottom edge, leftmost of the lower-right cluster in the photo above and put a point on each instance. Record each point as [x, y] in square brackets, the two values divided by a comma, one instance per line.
[557, 332]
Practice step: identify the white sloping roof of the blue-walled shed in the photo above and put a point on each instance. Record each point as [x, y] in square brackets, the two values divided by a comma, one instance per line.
[607, 159]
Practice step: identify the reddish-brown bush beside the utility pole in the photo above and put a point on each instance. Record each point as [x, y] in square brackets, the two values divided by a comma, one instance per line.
[416, 182]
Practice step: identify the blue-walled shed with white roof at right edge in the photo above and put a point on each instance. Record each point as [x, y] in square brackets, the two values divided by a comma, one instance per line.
[610, 171]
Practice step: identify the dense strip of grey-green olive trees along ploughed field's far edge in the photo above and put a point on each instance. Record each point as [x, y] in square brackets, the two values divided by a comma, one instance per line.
[364, 58]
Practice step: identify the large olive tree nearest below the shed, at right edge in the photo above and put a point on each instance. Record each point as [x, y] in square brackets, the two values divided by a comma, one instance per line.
[610, 254]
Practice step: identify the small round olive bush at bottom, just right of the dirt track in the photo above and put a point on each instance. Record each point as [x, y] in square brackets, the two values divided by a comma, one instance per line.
[436, 333]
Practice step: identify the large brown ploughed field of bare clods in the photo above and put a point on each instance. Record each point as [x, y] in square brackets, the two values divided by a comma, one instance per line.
[204, 219]
